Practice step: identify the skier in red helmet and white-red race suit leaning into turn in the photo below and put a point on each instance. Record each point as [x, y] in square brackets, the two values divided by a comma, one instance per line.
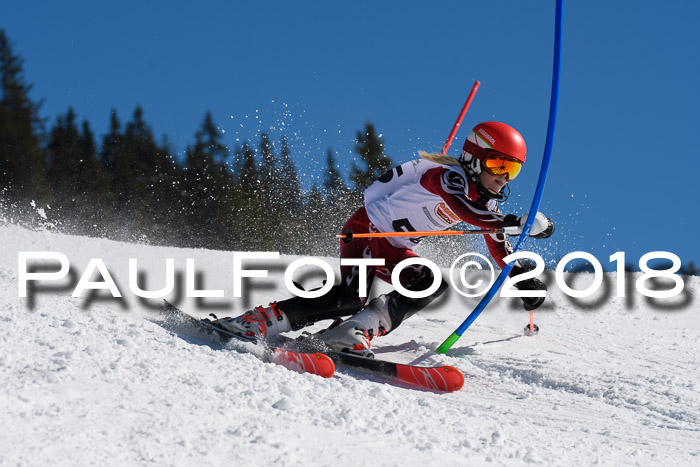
[432, 193]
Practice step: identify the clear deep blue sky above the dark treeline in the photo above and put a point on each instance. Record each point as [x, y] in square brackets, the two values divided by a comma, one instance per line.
[621, 177]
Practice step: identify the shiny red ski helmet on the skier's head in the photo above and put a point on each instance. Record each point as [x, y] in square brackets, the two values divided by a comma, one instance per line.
[498, 137]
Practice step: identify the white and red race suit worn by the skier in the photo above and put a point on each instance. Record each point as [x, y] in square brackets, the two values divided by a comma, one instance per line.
[414, 196]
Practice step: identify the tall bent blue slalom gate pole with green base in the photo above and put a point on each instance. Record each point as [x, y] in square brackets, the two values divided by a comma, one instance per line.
[538, 191]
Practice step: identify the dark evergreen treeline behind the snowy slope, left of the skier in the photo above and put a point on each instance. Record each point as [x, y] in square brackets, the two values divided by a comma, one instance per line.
[128, 186]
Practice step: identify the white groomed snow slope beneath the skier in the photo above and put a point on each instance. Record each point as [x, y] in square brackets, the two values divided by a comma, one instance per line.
[97, 380]
